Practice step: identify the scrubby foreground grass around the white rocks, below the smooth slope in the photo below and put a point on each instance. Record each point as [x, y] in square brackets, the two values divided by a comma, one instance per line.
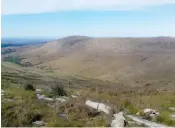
[75, 110]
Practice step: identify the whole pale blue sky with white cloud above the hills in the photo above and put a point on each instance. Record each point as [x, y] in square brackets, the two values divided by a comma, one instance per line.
[95, 18]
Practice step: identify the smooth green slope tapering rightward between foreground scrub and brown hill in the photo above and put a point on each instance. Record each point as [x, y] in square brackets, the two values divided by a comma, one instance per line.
[18, 74]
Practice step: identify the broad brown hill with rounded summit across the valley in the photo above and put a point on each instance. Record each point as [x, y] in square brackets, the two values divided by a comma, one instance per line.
[128, 61]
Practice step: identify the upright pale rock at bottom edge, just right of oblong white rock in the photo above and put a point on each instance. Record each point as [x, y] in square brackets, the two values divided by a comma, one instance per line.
[119, 120]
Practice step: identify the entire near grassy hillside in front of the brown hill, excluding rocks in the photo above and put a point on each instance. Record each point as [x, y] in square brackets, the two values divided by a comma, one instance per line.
[21, 107]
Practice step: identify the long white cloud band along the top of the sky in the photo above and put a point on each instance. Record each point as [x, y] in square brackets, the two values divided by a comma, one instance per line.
[40, 6]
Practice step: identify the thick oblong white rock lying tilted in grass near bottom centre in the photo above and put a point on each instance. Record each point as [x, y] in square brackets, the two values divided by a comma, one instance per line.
[98, 106]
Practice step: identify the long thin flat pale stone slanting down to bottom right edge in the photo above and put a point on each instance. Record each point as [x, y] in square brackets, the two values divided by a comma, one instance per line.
[145, 122]
